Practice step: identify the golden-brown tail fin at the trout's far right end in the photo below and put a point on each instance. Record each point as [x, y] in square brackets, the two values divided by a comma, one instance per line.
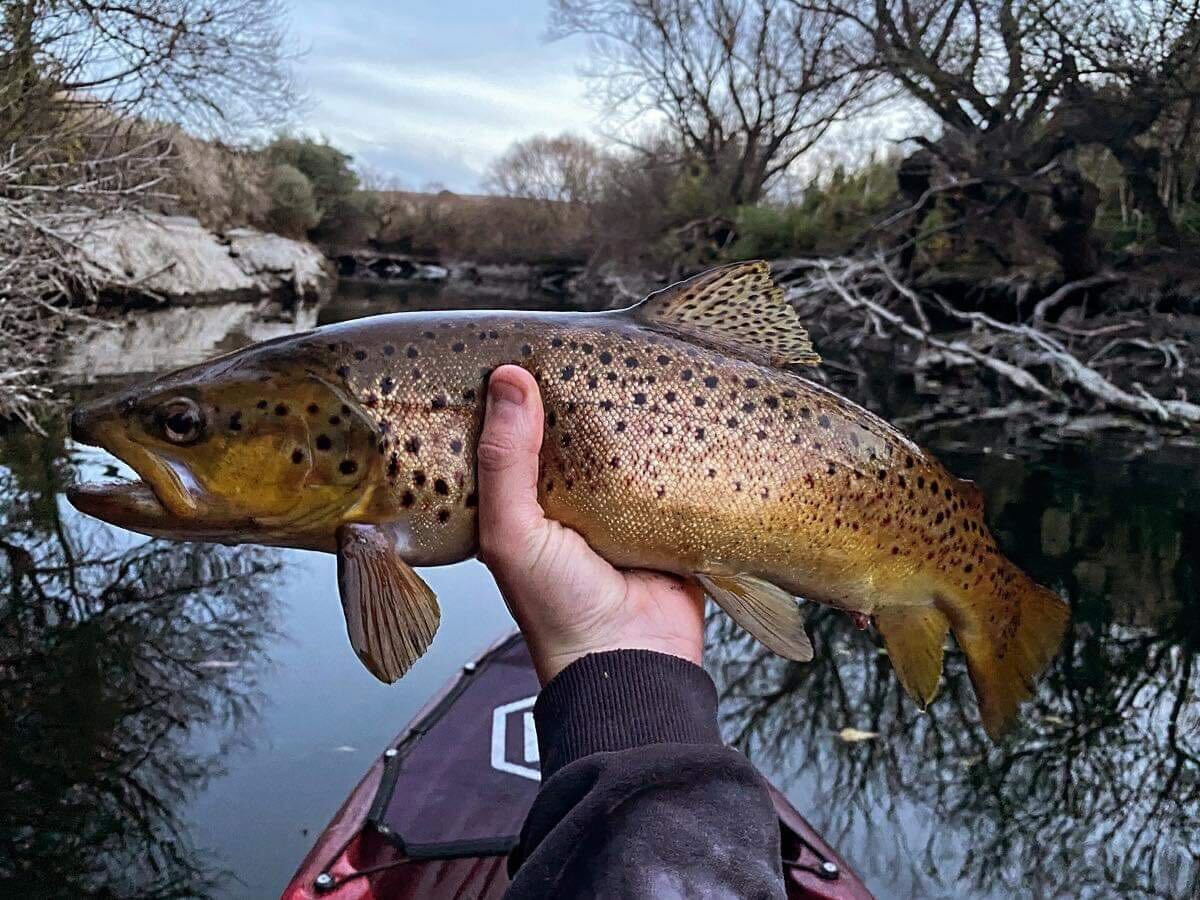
[1009, 637]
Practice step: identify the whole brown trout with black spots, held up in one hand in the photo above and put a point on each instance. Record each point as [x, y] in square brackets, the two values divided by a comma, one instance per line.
[680, 436]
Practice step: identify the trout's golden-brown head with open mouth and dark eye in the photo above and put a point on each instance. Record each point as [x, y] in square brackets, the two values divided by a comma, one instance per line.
[260, 449]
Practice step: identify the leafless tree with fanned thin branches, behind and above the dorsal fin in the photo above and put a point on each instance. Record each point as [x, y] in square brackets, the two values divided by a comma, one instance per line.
[746, 87]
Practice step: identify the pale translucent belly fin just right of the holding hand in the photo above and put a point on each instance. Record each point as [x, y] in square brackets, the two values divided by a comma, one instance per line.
[766, 611]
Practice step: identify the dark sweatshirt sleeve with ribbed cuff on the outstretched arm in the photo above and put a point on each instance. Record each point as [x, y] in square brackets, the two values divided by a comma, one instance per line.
[640, 799]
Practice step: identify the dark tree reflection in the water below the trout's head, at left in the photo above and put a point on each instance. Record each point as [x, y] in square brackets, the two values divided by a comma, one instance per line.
[113, 653]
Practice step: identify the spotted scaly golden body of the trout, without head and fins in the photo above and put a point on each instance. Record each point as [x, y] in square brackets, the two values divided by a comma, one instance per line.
[716, 461]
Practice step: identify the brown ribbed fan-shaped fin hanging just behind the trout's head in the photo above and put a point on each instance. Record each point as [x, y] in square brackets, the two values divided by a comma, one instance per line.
[391, 614]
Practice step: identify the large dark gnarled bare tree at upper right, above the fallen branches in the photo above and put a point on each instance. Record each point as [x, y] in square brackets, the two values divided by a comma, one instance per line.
[1021, 86]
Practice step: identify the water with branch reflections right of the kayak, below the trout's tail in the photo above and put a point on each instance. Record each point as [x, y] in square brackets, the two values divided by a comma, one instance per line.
[1096, 795]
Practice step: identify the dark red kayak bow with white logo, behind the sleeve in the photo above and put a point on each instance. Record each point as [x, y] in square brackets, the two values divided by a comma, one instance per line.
[440, 811]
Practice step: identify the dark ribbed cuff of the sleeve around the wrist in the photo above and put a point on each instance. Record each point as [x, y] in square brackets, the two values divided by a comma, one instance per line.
[620, 700]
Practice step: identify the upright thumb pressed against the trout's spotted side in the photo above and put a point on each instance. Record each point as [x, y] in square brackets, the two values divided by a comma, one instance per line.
[508, 463]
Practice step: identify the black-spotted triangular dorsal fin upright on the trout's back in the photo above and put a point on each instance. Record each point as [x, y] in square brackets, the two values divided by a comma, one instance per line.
[737, 309]
